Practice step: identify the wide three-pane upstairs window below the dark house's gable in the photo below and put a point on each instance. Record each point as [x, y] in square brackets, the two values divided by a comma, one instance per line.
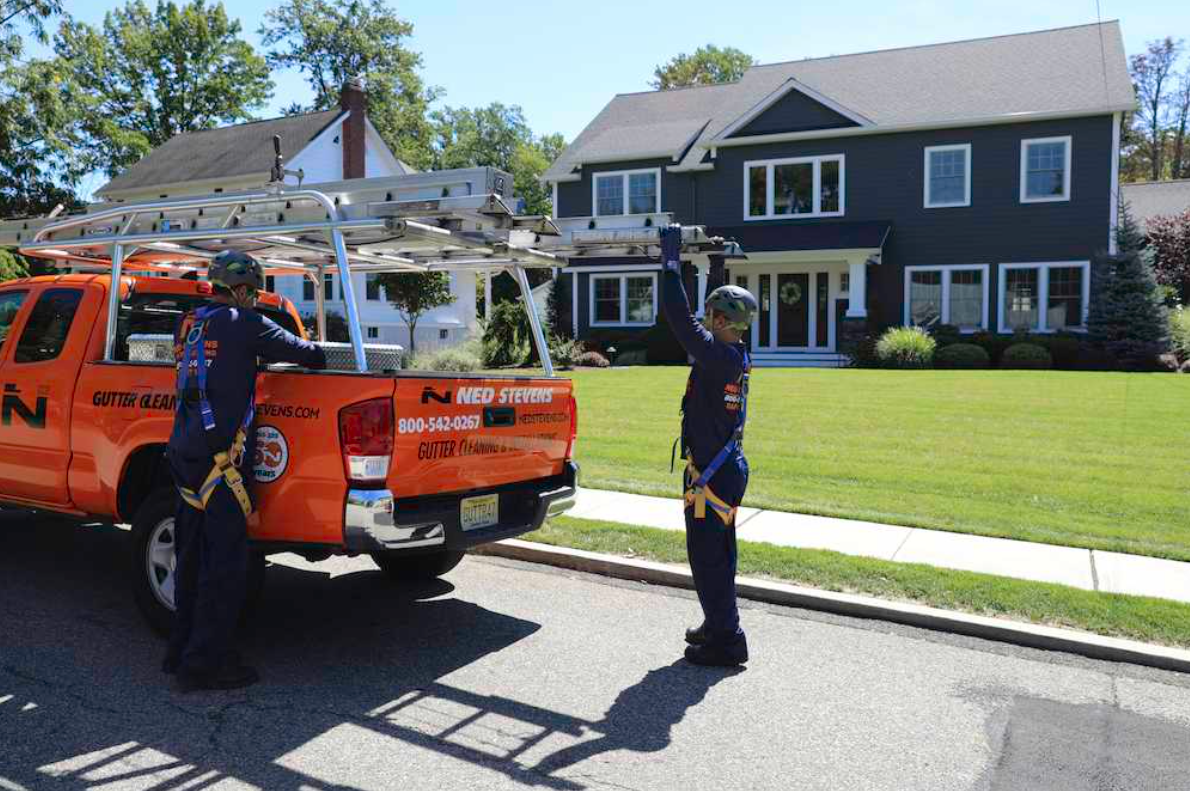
[805, 187]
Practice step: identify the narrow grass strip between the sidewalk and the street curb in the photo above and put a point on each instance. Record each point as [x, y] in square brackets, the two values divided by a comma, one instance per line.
[1151, 620]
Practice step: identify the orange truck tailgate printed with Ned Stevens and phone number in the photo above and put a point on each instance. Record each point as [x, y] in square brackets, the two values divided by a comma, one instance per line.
[464, 435]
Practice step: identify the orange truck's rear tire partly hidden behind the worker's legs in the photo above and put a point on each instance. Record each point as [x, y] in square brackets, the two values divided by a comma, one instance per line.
[153, 563]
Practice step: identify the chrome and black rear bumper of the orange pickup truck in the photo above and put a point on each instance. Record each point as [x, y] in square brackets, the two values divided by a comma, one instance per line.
[377, 522]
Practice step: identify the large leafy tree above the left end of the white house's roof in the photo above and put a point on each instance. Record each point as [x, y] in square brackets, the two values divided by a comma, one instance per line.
[149, 76]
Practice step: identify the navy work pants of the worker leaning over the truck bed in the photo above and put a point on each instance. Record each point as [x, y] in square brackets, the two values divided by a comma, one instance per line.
[211, 581]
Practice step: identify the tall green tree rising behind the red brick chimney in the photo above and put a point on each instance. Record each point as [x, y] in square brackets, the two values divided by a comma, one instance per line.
[334, 41]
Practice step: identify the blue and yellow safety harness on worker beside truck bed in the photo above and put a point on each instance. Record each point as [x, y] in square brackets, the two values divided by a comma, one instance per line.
[227, 462]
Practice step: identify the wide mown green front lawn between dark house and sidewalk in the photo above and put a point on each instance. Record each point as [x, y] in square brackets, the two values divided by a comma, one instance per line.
[1098, 461]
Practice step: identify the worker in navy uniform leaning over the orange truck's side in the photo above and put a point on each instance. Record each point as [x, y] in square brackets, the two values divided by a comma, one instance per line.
[211, 453]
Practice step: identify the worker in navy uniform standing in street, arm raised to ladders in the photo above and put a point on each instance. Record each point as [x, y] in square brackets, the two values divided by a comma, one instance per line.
[713, 415]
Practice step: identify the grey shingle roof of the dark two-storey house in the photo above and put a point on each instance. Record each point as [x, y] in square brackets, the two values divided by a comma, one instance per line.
[1067, 71]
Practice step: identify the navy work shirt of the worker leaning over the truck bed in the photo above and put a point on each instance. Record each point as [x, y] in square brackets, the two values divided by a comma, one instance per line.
[235, 340]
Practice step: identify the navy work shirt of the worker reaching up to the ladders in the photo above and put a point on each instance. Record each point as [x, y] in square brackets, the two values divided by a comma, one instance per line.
[713, 393]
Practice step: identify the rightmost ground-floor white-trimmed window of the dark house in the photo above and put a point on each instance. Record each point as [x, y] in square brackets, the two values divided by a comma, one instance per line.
[1045, 298]
